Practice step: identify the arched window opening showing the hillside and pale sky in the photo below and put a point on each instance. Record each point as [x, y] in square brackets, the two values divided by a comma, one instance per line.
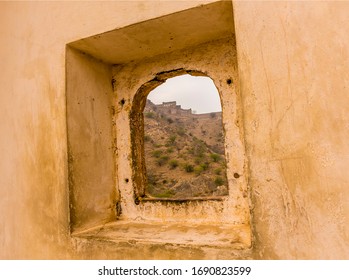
[184, 140]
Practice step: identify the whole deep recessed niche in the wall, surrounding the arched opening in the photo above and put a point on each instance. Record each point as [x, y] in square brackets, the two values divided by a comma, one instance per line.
[107, 76]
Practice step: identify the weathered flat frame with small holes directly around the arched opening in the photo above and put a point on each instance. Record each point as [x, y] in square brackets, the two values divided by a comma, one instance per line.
[146, 75]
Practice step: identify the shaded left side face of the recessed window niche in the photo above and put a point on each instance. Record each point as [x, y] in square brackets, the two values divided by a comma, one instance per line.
[91, 145]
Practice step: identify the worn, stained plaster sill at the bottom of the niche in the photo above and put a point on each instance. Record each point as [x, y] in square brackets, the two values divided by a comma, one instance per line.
[226, 236]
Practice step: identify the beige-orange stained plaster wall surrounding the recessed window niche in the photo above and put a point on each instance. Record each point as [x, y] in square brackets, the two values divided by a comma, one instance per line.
[293, 66]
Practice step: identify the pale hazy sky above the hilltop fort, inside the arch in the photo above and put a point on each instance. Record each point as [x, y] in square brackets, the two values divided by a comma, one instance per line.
[197, 93]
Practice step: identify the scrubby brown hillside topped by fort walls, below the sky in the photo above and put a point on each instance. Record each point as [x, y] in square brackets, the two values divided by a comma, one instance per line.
[184, 152]
